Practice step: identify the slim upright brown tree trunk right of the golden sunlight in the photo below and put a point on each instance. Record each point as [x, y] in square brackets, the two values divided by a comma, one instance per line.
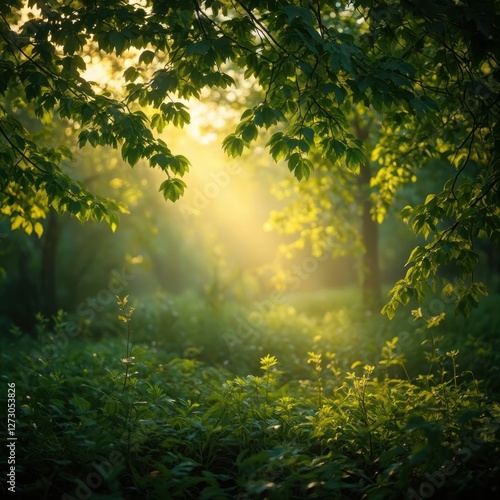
[370, 270]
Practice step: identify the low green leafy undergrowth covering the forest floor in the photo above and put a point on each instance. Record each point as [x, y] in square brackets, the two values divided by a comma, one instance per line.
[123, 418]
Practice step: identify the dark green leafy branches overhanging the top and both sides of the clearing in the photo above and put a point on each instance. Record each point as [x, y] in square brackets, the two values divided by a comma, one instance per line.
[428, 70]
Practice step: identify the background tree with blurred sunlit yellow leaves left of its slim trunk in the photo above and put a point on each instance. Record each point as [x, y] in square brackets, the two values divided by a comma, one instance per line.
[333, 213]
